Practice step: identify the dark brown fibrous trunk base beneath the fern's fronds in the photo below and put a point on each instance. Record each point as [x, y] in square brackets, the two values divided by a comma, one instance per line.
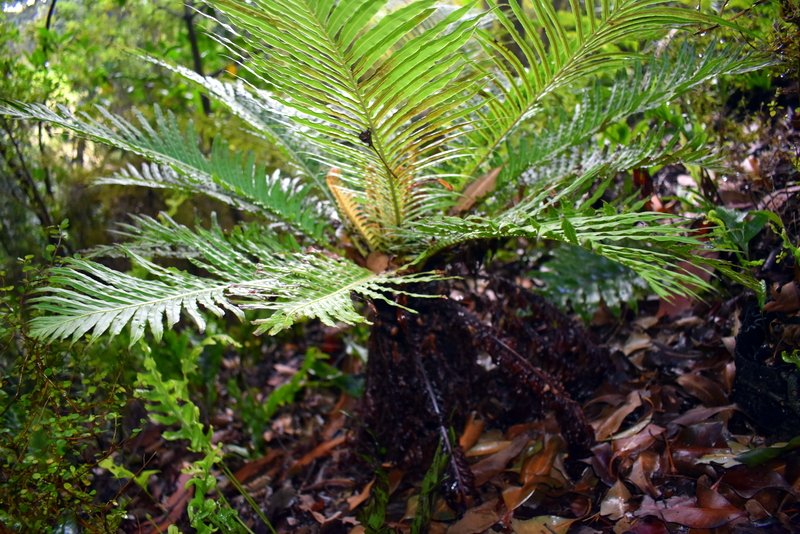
[428, 371]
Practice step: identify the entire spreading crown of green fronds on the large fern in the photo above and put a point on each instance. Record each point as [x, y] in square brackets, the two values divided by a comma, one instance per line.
[414, 126]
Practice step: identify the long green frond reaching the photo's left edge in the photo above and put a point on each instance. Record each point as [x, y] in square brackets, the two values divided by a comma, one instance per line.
[181, 162]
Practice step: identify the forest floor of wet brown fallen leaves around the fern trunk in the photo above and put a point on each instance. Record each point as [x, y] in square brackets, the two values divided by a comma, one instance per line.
[699, 430]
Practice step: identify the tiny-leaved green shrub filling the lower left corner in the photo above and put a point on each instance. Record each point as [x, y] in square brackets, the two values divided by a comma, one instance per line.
[59, 414]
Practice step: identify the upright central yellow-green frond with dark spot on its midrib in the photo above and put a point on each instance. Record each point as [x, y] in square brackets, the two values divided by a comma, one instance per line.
[374, 99]
